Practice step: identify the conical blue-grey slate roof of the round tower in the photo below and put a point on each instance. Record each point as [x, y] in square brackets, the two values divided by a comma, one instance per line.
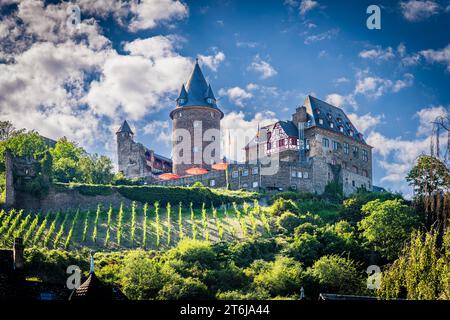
[196, 91]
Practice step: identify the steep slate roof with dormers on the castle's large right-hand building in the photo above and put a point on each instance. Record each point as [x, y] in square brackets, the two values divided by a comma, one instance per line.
[318, 109]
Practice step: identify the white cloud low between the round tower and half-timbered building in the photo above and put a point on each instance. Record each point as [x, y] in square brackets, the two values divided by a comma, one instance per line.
[241, 131]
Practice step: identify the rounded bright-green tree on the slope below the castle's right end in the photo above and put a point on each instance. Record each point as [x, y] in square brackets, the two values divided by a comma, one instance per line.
[387, 225]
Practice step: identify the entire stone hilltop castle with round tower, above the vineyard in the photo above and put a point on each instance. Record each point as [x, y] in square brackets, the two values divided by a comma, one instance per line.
[317, 146]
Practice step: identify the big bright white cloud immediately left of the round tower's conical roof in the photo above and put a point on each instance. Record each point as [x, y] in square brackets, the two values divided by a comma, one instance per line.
[139, 83]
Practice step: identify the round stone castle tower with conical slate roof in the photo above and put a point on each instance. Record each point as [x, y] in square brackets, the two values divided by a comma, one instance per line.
[196, 112]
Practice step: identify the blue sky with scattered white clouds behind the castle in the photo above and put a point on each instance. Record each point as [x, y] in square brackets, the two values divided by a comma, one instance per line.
[128, 60]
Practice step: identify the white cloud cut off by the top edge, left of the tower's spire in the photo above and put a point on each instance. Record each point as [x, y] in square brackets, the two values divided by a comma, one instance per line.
[148, 13]
